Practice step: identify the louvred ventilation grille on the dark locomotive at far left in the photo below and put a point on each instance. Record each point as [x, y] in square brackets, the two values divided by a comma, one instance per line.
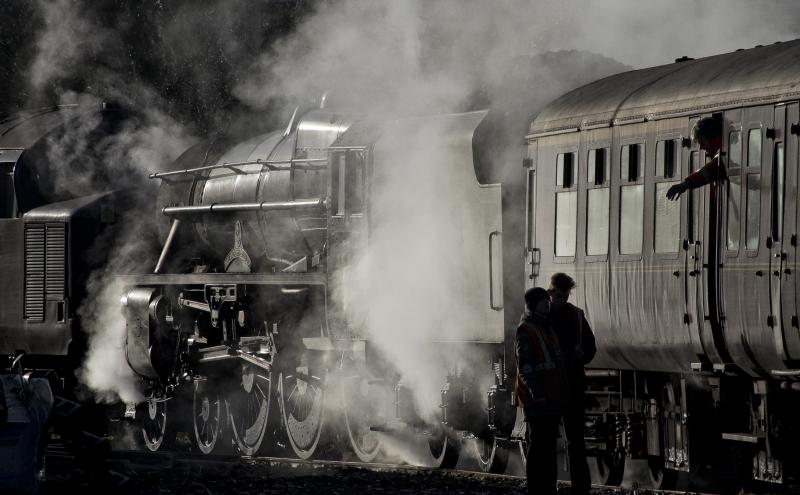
[45, 266]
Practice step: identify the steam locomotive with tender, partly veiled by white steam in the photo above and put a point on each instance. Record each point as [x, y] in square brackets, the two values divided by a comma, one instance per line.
[249, 298]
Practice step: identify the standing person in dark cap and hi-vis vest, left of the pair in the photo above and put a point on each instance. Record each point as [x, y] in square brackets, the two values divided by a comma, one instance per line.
[540, 389]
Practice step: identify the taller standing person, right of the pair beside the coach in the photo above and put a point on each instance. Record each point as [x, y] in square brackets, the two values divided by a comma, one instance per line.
[578, 346]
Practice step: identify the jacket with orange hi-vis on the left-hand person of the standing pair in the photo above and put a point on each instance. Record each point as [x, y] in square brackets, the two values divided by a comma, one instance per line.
[541, 385]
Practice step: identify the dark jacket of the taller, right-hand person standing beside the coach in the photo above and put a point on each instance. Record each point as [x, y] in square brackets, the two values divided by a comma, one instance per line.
[574, 336]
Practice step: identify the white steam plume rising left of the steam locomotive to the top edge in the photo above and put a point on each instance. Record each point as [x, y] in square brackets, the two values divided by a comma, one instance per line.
[90, 163]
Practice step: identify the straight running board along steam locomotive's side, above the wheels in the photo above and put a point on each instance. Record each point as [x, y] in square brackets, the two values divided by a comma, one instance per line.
[289, 278]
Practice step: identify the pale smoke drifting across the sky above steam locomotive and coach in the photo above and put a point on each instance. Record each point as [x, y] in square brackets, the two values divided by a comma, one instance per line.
[420, 57]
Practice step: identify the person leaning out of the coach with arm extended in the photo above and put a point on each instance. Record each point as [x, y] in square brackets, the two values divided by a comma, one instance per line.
[707, 132]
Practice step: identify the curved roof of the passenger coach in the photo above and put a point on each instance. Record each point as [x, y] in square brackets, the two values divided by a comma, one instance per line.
[765, 74]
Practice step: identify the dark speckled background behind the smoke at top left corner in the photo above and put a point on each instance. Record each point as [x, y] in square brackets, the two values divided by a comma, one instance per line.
[181, 51]
